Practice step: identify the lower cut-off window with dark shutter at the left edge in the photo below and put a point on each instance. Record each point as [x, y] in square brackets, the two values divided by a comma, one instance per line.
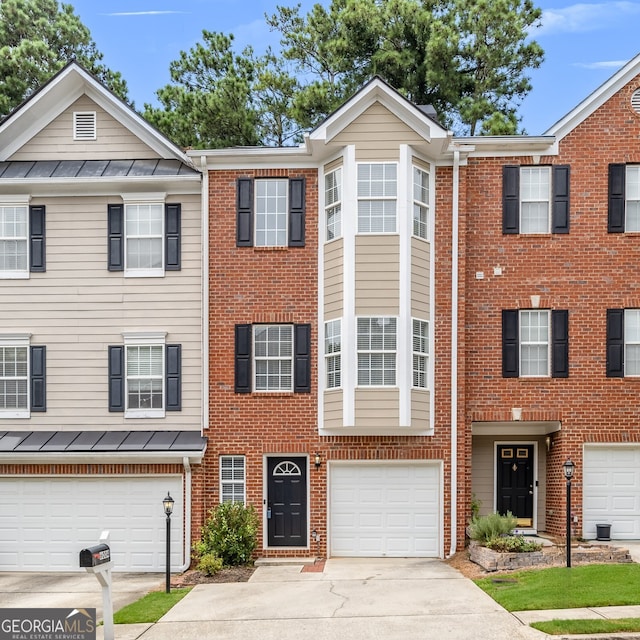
[22, 377]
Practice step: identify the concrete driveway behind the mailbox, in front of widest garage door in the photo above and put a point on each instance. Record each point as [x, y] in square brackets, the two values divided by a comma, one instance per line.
[75, 590]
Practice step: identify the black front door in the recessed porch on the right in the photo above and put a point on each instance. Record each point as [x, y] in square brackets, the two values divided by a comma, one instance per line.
[515, 482]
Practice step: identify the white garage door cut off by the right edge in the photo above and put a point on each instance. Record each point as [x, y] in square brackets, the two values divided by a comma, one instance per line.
[611, 493]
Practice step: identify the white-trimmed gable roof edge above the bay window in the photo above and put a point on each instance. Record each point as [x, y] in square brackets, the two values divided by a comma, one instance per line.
[377, 90]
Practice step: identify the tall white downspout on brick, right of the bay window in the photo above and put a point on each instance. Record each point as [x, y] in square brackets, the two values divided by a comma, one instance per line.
[454, 351]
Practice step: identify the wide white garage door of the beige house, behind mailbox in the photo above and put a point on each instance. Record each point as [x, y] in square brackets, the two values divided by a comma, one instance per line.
[47, 521]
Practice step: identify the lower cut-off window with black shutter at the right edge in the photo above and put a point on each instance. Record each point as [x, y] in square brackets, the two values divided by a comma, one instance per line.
[623, 343]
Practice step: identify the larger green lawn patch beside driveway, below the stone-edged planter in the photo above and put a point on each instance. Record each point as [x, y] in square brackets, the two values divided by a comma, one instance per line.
[594, 585]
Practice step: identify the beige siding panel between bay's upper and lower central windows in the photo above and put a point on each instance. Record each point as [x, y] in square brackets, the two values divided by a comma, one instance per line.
[377, 275]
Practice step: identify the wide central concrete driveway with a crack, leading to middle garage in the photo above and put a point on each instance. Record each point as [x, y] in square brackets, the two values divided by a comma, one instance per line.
[358, 599]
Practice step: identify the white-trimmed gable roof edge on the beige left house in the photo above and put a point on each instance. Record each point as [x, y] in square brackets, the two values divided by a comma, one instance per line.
[69, 84]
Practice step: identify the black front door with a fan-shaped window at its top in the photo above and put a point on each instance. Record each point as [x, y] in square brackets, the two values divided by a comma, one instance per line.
[287, 502]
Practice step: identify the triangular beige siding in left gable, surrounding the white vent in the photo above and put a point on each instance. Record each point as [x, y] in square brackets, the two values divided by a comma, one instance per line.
[55, 141]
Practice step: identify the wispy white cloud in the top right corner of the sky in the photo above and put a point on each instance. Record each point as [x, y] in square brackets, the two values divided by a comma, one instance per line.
[583, 17]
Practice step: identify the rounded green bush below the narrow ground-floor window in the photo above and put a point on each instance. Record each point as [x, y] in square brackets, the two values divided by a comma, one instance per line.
[230, 533]
